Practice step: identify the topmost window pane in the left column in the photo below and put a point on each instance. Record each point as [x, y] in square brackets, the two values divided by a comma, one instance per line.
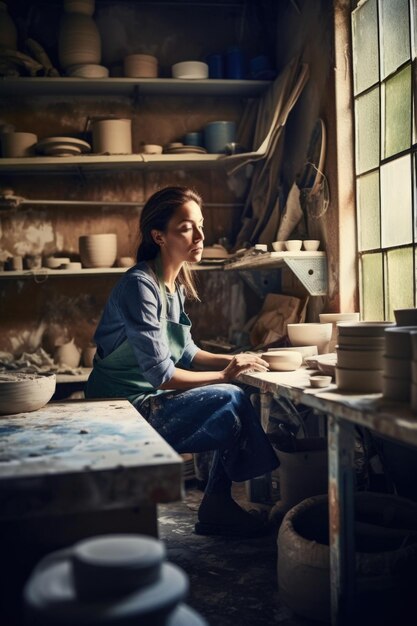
[365, 46]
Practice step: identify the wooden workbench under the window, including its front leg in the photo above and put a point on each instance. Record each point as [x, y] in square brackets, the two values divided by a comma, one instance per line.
[394, 420]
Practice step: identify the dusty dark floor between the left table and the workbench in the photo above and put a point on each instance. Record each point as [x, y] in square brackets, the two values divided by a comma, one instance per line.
[232, 582]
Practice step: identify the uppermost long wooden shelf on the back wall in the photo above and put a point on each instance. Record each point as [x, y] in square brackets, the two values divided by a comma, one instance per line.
[65, 86]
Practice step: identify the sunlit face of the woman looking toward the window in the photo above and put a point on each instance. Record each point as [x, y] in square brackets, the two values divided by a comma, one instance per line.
[183, 238]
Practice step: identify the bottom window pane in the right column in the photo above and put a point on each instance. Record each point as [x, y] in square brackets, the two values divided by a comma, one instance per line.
[399, 281]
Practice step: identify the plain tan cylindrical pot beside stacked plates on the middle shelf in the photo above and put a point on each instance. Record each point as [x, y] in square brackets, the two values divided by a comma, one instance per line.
[112, 136]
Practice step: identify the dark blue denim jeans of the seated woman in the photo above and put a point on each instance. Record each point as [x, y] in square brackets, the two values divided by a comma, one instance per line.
[214, 417]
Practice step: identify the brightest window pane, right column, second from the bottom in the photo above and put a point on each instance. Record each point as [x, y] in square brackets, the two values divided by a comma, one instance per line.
[396, 203]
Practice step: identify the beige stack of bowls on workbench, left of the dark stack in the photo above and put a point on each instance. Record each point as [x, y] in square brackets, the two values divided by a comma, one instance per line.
[360, 352]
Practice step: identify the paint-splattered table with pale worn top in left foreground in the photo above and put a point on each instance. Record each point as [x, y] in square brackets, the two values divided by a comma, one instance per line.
[81, 457]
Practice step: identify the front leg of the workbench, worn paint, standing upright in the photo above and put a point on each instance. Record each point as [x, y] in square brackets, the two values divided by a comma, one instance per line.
[341, 519]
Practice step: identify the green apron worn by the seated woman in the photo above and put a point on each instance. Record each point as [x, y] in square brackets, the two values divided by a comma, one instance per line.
[117, 375]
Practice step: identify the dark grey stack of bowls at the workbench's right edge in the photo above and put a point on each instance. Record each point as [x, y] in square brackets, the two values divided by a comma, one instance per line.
[397, 363]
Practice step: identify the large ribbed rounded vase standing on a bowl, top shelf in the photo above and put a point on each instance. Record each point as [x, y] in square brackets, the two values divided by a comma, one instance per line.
[79, 40]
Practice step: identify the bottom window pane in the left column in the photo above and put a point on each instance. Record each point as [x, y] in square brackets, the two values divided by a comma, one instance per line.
[372, 306]
